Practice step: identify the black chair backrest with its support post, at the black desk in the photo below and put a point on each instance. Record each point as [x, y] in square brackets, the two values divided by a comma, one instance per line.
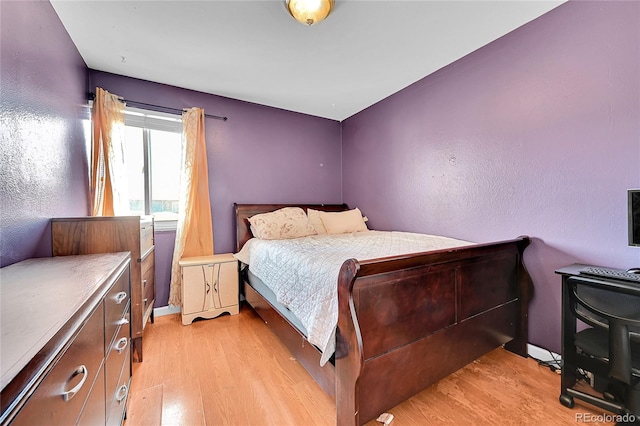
[618, 312]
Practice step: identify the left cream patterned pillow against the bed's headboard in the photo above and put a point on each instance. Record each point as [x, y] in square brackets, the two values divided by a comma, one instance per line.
[285, 223]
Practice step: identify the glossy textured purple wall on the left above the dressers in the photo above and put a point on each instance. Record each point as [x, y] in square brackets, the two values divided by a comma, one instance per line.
[43, 165]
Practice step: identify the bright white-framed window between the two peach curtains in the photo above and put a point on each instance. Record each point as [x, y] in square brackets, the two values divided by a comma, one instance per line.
[152, 157]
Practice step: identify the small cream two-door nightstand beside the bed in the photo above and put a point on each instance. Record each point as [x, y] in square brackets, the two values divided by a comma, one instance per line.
[209, 286]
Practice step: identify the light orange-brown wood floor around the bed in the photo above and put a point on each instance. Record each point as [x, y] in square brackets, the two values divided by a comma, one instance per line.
[233, 371]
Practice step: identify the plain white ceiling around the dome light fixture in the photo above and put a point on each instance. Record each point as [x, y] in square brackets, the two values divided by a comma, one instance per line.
[254, 51]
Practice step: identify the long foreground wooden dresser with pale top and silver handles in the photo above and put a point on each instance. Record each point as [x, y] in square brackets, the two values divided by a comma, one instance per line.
[65, 349]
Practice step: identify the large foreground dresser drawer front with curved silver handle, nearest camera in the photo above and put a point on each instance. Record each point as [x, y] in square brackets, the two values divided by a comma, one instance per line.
[62, 393]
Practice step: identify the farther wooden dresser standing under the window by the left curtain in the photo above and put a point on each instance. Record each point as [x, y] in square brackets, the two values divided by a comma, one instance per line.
[88, 235]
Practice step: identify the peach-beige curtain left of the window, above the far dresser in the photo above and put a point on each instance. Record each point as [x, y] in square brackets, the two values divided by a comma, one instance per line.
[108, 173]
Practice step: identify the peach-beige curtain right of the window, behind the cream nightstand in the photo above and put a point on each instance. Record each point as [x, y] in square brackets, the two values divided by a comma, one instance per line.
[194, 236]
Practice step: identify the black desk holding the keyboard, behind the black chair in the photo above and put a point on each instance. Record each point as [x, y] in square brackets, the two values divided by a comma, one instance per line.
[570, 358]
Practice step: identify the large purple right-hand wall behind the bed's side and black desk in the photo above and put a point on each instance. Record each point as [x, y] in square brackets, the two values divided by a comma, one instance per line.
[537, 133]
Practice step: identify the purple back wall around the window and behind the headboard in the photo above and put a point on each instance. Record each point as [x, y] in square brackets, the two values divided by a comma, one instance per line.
[260, 155]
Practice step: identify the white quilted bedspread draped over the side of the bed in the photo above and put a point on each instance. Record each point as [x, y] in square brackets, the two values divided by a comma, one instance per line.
[303, 272]
